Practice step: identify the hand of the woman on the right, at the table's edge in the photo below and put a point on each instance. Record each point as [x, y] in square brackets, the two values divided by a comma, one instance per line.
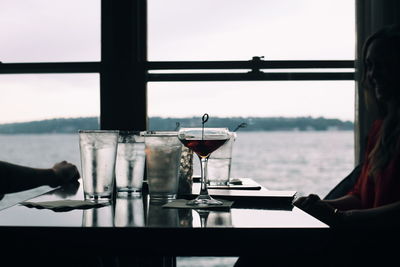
[316, 207]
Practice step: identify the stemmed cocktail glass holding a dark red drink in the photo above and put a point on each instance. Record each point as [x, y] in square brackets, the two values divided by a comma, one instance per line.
[203, 141]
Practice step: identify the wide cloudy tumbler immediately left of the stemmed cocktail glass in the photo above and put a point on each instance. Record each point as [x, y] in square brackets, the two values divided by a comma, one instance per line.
[163, 154]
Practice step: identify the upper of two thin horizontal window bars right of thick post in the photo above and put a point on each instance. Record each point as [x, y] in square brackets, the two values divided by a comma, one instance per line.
[250, 64]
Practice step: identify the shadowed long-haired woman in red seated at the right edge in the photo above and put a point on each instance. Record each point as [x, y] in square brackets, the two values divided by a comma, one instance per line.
[373, 201]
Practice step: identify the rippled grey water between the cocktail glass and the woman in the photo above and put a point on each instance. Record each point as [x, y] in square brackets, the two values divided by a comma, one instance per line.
[307, 162]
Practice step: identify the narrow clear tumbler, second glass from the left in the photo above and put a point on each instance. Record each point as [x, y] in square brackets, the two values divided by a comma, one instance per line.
[129, 168]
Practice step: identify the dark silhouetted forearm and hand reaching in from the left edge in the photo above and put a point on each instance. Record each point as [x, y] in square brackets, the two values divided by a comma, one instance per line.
[14, 178]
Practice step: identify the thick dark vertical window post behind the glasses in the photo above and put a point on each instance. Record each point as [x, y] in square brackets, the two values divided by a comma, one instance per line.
[123, 93]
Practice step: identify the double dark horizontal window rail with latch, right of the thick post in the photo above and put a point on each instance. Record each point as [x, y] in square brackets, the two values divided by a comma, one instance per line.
[256, 65]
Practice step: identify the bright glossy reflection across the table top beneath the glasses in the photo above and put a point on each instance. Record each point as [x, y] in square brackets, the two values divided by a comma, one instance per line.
[138, 211]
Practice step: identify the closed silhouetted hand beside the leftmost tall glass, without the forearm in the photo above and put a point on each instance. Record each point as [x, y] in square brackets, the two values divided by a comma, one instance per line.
[64, 173]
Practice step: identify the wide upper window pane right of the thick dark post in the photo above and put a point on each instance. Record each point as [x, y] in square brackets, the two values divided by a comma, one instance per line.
[181, 30]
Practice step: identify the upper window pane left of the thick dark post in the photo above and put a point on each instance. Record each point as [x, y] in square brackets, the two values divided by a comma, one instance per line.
[49, 31]
